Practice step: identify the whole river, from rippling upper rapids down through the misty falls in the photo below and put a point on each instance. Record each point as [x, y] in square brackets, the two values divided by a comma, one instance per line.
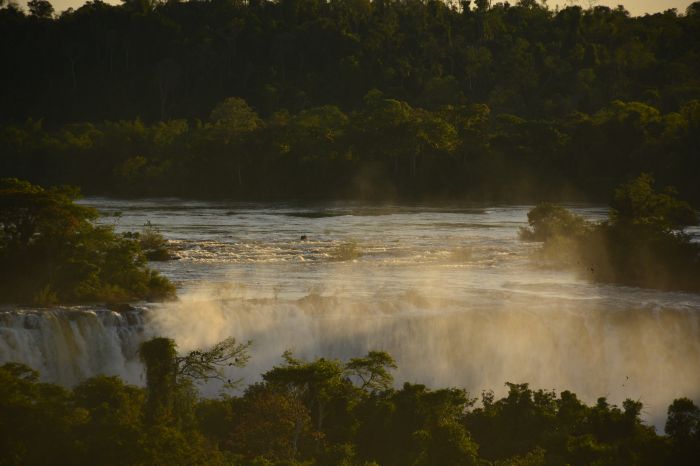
[449, 291]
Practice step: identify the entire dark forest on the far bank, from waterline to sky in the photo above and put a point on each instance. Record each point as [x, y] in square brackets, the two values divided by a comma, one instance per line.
[381, 100]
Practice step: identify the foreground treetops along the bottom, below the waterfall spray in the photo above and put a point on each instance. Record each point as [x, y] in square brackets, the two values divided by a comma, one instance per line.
[319, 412]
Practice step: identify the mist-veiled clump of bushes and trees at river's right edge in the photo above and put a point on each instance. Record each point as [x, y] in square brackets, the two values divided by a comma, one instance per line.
[642, 243]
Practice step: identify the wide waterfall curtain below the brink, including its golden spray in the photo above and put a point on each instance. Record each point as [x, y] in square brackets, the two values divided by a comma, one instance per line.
[651, 354]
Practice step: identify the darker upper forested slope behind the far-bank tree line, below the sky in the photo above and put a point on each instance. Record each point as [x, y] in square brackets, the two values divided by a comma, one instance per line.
[523, 57]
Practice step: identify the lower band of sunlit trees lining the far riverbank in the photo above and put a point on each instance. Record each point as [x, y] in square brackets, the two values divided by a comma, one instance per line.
[385, 150]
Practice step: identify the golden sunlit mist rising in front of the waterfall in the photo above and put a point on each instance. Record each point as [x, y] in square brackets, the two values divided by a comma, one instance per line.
[646, 353]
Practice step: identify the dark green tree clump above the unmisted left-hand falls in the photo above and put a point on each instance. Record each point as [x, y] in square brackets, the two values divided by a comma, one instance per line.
[51, 251]
